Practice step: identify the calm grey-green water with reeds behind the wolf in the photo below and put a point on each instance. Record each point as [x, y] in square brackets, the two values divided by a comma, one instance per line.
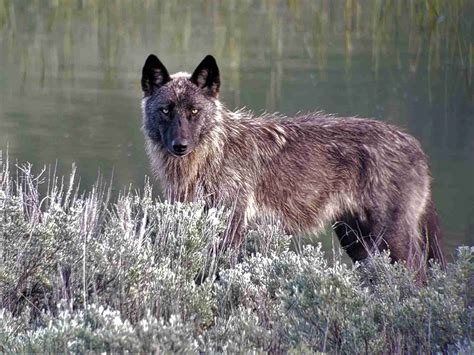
[70, 71]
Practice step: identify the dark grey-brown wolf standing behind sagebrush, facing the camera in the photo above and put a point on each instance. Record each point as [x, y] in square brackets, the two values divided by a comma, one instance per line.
[367, 178]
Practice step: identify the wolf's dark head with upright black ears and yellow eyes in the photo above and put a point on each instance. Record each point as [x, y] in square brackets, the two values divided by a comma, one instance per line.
[179, 109]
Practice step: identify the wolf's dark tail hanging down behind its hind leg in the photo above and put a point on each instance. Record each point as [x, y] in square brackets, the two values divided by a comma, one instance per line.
[431, 233]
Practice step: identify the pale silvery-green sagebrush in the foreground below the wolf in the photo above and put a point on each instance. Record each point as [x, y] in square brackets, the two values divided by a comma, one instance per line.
[80, 274]
